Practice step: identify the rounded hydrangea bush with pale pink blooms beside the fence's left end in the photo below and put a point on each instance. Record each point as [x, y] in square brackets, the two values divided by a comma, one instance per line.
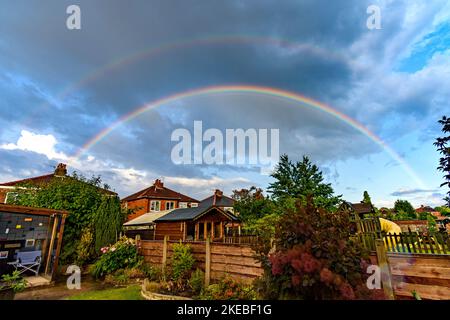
[123, 254]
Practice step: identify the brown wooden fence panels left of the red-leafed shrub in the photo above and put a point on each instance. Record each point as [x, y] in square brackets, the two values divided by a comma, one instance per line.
[215, 259]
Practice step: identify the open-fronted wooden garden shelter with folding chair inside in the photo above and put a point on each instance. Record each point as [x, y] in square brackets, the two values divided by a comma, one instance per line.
[30, 239]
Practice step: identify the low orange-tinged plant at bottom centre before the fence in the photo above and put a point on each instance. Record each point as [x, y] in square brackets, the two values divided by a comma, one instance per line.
[228, 289]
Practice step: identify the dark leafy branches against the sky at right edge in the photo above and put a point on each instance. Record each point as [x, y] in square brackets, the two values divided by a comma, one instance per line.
[443, 146]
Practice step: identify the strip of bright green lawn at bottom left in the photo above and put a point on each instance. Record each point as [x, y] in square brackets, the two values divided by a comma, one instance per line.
[129, 293]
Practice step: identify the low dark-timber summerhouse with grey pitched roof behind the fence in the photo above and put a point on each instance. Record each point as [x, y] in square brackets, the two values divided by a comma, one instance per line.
[213, 217]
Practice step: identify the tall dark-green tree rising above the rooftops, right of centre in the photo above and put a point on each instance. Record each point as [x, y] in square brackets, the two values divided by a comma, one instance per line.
[301, 180]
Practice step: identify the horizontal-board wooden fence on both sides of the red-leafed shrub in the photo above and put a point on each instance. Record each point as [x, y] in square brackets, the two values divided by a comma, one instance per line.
[401, 273]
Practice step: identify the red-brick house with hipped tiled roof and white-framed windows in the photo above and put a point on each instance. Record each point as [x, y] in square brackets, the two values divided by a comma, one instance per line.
[156, 198]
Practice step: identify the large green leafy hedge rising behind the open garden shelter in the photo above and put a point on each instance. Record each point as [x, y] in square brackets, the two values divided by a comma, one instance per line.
[82, 198]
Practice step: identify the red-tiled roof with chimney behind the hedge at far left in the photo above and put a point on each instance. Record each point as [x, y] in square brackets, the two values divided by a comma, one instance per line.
[8, 190]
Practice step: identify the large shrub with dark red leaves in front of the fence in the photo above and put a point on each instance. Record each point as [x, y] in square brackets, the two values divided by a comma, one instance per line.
[315, 257]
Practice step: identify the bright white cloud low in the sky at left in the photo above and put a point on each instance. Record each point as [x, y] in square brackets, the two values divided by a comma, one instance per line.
[38, 143]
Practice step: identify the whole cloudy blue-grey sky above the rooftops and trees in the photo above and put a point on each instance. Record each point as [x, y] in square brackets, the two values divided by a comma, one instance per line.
[60, 88]
